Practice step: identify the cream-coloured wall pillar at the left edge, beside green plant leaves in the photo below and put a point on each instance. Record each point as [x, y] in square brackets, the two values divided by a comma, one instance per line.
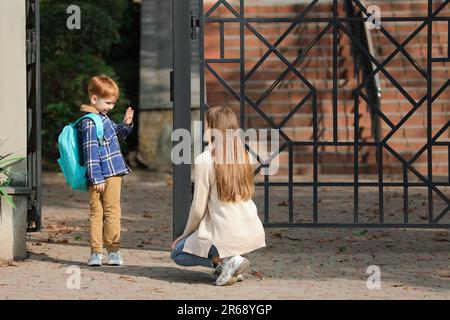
[13, 120]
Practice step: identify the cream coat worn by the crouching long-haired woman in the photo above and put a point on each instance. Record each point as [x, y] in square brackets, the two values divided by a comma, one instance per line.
[234, 228]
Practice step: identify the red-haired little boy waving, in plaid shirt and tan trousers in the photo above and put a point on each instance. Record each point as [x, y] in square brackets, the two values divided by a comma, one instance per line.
[105, 167]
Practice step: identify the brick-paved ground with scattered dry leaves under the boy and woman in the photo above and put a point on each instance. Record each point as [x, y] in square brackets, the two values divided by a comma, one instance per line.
[297, 263]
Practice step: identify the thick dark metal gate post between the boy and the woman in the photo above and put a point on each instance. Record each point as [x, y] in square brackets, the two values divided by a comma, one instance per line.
[181, 89]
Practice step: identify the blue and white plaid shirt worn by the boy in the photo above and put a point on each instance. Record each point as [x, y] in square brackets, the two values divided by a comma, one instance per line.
[106, 160]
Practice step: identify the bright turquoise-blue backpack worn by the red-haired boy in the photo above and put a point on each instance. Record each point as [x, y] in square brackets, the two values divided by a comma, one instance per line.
[69, 161]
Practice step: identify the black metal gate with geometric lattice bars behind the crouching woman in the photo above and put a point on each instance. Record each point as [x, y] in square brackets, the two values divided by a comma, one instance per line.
[191, 24]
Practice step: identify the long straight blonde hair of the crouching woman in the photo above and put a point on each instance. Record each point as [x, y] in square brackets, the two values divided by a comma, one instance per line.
[235, 178]
